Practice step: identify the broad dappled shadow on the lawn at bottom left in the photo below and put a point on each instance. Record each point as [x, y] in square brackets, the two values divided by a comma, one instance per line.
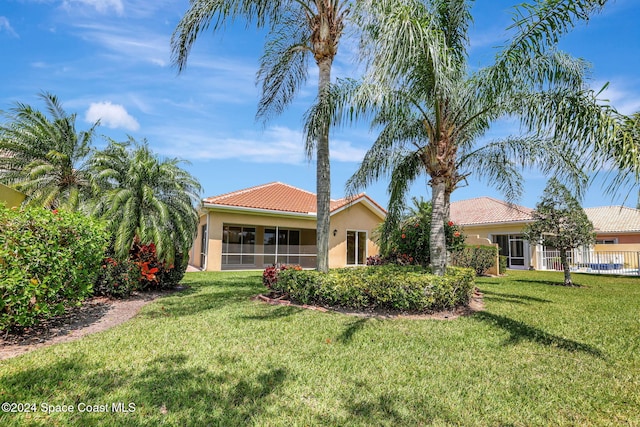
[167, 386]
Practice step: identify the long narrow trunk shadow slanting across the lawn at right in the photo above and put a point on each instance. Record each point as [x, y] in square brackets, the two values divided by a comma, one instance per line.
[521, 331]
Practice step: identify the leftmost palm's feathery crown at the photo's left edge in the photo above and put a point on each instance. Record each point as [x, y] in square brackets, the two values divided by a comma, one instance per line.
[46, 158]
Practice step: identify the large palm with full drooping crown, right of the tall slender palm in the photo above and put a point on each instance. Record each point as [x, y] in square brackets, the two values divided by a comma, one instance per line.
[432, 110]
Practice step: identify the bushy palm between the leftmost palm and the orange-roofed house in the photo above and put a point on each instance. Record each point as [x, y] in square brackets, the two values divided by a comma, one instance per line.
[145, 198]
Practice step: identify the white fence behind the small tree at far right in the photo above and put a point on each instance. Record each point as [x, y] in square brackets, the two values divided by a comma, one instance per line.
[589, 261]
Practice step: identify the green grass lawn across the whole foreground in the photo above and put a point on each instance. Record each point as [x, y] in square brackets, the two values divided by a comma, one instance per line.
[538, 355]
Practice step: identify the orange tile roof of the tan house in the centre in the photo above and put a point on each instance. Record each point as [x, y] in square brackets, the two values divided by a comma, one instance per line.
[280, 197]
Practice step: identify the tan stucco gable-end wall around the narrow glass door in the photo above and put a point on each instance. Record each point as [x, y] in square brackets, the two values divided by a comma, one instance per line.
[354, 218]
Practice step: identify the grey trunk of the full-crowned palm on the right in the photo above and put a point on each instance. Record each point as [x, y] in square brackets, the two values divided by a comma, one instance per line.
[437, 240]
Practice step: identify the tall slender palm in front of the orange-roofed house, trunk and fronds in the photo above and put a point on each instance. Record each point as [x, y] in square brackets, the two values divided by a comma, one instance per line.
[298, 29]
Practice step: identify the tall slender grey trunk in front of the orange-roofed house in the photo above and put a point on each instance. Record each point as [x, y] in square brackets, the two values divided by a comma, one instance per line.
[323, 176]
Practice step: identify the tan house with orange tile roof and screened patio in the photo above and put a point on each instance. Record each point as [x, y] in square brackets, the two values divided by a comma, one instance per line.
[276, 223]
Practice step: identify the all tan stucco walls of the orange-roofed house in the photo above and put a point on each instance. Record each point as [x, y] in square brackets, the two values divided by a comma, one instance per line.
[357, 217]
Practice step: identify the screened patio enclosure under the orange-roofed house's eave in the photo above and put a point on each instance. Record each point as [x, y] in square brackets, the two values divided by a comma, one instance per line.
[250, 246]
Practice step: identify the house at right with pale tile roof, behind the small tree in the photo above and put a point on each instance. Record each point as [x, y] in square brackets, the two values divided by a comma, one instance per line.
[617, 230]
